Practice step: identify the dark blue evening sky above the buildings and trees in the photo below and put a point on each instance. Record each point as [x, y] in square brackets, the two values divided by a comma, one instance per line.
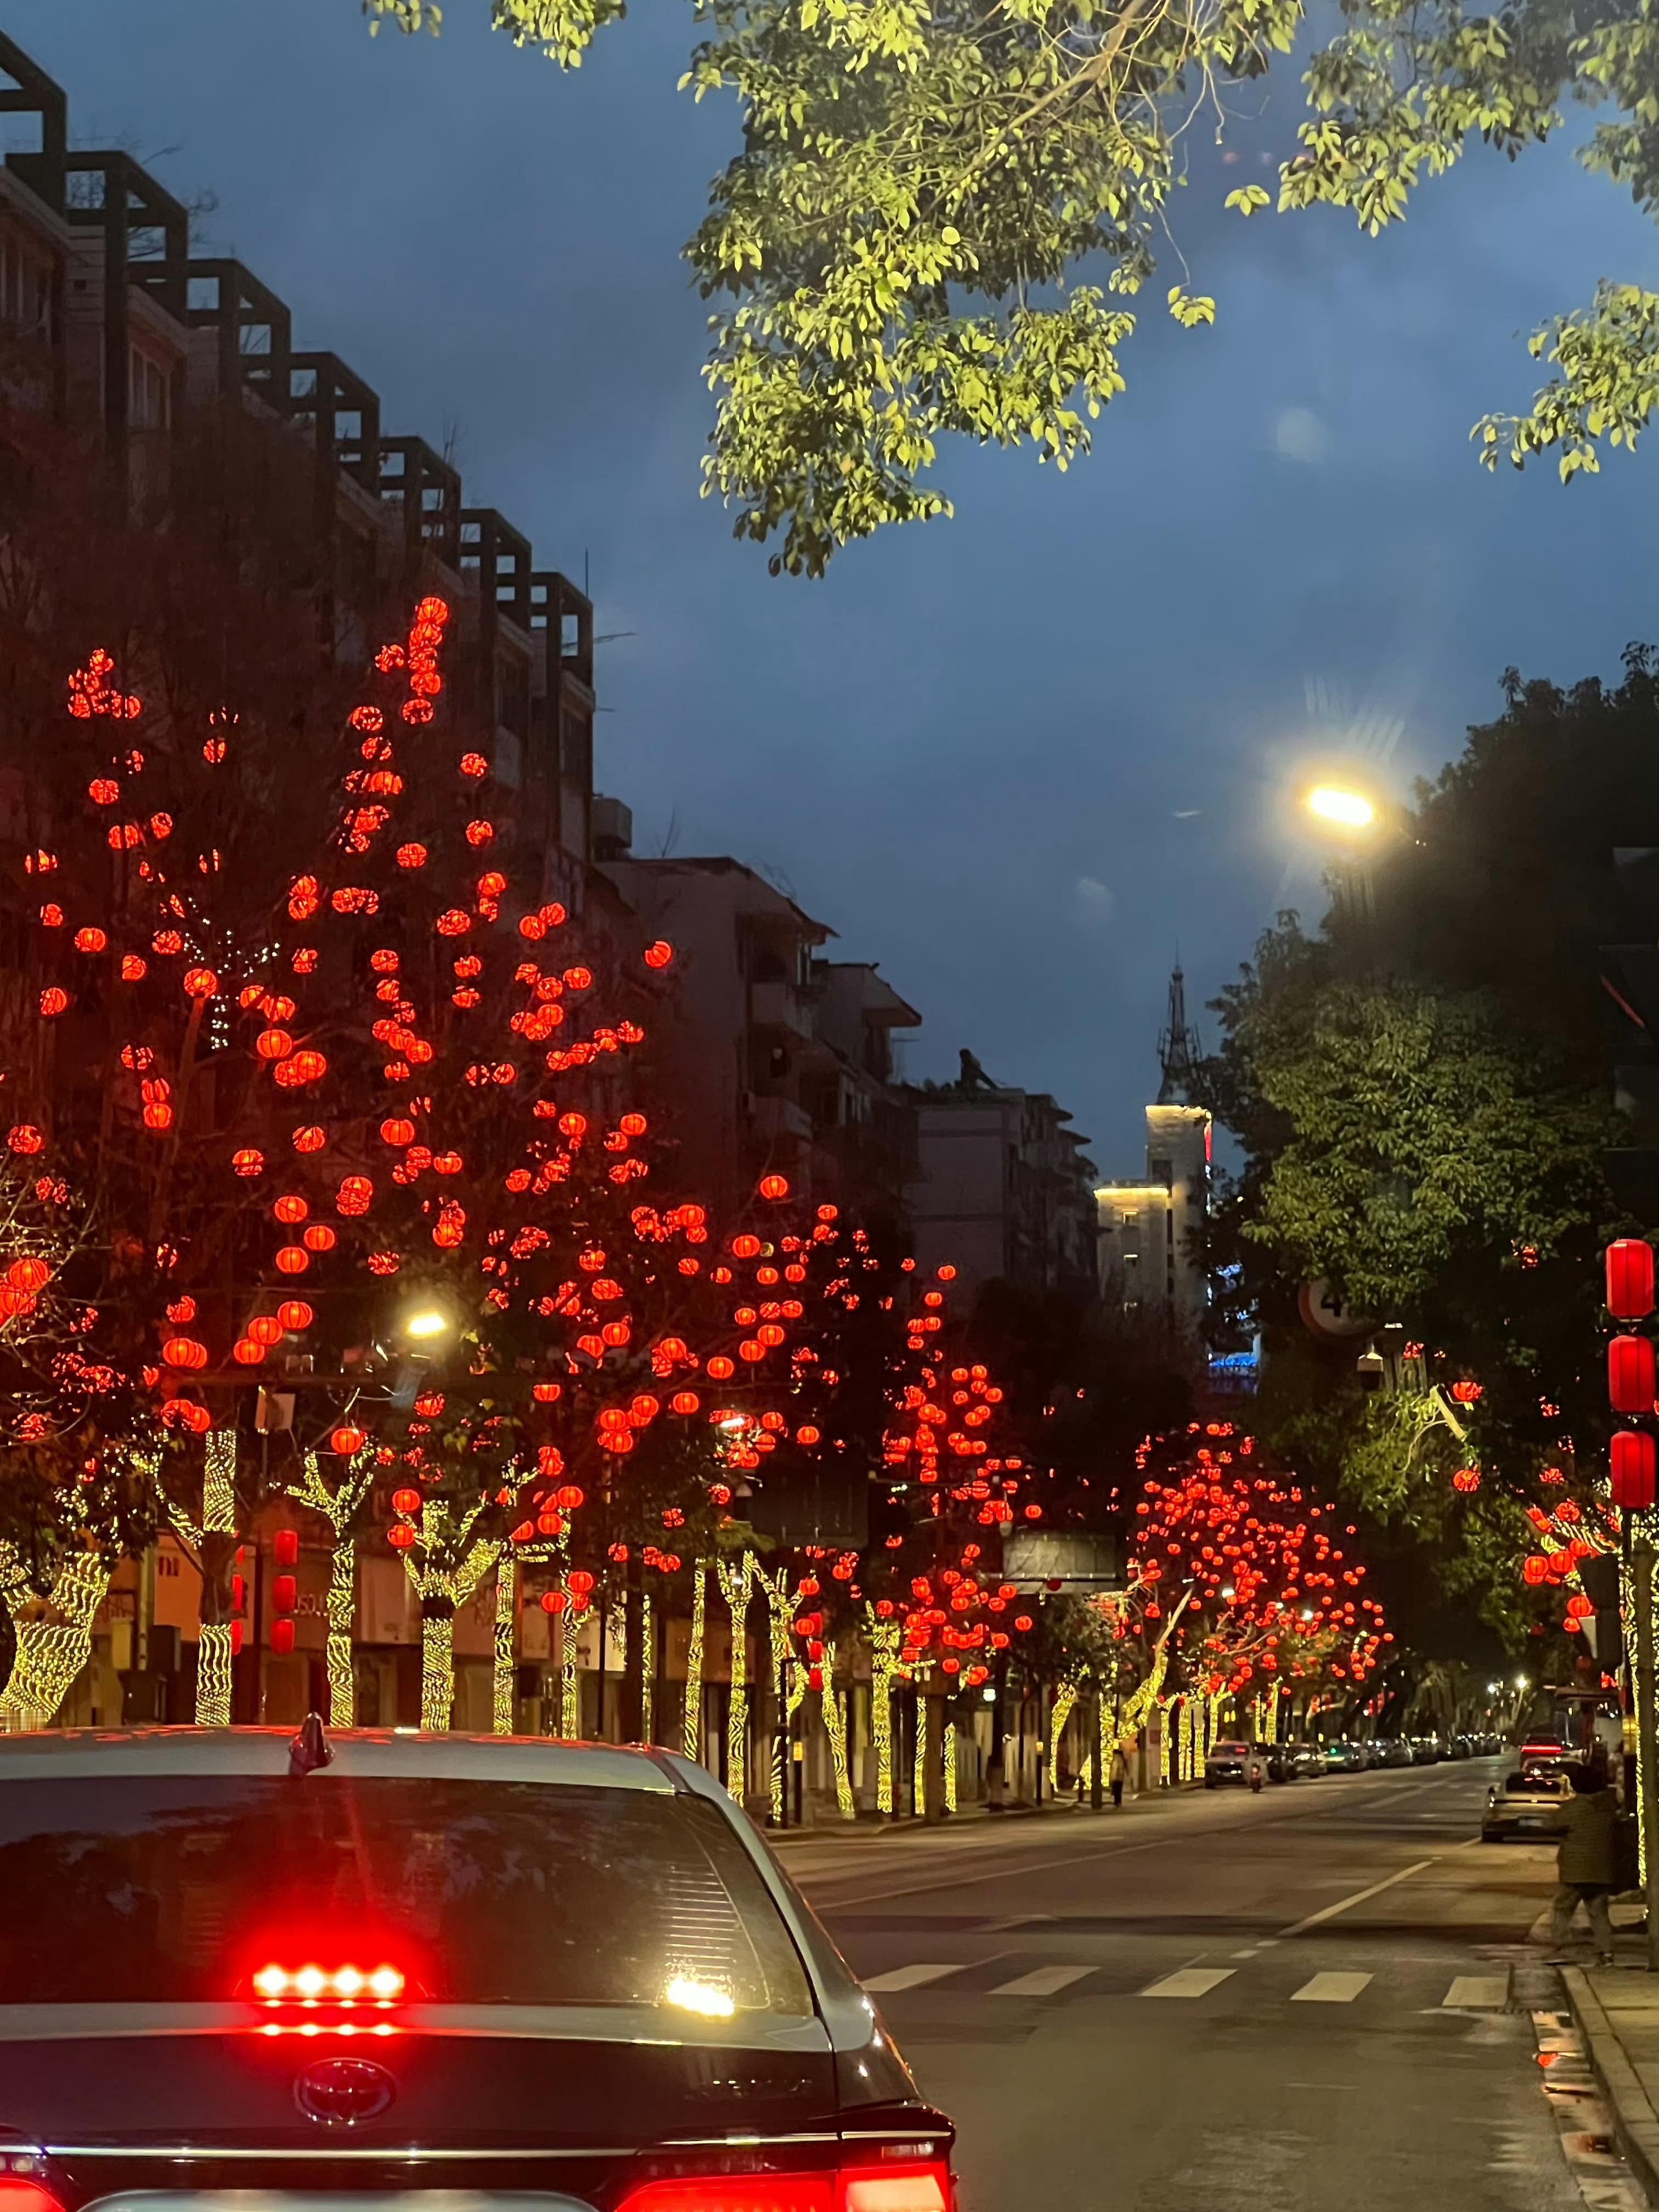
[968, 751]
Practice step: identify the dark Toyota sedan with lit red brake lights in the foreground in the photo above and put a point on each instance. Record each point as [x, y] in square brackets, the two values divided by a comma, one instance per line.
[331, 1965]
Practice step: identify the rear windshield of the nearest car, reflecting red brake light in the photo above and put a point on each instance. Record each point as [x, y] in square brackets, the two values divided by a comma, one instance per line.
[134, 1890]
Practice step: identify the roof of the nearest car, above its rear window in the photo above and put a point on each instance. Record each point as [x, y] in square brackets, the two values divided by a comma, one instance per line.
[357, 1751]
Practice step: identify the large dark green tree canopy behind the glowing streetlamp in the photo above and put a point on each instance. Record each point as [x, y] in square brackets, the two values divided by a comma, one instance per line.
[1423, 1098]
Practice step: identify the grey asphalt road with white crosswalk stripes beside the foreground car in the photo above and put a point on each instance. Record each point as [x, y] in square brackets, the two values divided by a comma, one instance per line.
[1308, 2001]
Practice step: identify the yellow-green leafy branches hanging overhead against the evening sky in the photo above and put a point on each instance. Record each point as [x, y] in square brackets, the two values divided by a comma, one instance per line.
[910, 238]
